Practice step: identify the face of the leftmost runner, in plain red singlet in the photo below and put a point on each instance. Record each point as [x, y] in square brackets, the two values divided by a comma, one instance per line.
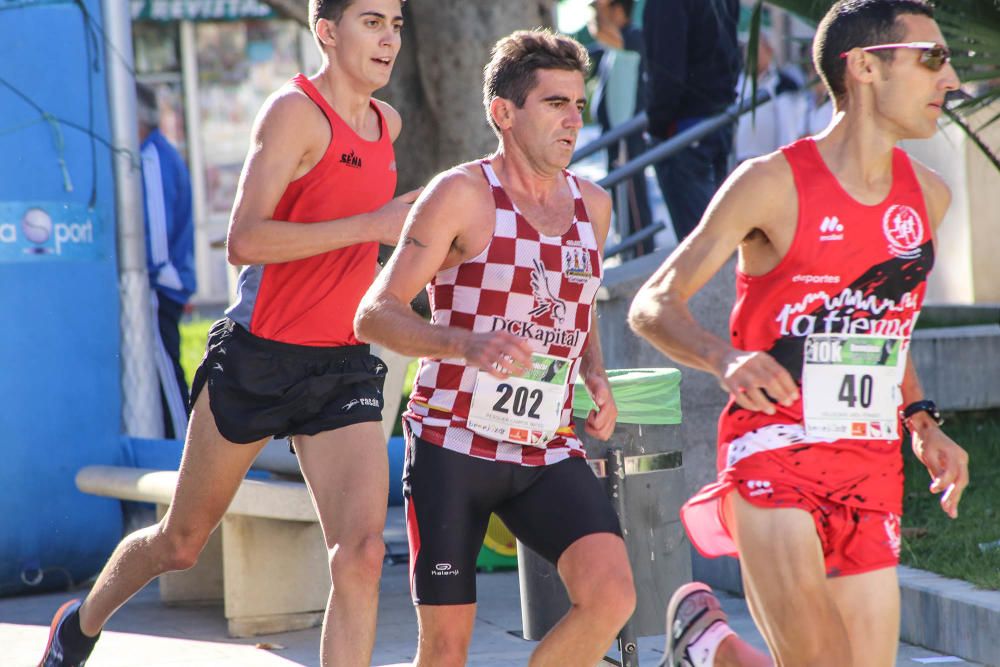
[366, 41]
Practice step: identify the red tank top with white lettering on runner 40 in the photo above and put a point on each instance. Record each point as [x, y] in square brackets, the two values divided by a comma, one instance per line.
[851, 269]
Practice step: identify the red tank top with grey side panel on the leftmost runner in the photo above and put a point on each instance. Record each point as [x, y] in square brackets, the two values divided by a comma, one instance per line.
[312, 301]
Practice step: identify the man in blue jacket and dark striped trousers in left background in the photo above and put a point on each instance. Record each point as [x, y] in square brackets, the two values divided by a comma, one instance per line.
[166, 188]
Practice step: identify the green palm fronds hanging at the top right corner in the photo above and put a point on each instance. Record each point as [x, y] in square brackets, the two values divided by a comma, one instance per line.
[972, 28]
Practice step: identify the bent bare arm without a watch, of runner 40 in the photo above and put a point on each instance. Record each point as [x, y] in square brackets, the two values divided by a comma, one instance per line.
[754, 195]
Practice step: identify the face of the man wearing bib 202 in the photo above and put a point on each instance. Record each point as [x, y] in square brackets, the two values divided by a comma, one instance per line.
[546, 127]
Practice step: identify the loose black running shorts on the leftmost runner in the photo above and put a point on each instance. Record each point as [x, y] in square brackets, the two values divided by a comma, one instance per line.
[260, 388]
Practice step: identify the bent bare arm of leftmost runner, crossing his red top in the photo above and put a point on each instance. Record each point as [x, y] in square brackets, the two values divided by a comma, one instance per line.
[284, 134]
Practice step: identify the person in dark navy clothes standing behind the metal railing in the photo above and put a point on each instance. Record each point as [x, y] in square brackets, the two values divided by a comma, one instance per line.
[692, 64]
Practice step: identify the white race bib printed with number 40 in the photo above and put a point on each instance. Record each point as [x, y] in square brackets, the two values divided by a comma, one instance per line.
[851, 386]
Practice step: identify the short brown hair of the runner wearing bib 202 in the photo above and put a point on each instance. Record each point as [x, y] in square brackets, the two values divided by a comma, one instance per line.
[510, 73]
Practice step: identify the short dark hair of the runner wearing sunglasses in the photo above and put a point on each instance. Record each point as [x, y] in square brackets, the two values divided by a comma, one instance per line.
[853, 23]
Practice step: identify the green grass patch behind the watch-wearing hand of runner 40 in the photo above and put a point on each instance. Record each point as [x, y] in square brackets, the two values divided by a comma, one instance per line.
[934, 542]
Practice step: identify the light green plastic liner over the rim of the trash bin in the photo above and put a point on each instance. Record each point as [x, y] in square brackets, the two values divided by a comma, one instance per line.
[643, 396]
